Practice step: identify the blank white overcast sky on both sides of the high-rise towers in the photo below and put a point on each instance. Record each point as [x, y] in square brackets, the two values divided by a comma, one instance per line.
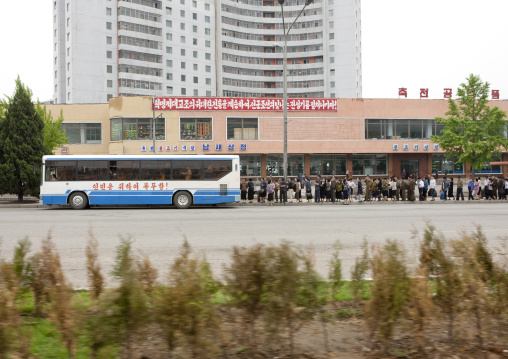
[433, 44]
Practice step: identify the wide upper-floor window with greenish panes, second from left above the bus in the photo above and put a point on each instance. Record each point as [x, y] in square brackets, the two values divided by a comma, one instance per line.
[130, 129]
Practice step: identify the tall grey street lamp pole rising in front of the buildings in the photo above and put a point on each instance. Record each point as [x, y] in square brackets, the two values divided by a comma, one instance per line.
[285, 84]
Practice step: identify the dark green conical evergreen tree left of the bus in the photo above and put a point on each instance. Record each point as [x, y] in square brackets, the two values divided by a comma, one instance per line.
[21, 144]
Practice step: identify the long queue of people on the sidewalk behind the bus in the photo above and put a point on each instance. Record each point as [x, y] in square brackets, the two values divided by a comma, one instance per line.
[336, 190]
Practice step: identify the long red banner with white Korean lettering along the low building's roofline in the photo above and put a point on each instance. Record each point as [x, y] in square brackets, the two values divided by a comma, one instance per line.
[244, 104]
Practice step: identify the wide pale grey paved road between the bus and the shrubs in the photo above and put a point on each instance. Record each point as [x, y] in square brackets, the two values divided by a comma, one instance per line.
[160, 231]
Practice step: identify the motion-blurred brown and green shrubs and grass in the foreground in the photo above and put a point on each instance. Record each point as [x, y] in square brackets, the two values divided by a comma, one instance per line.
[267, 295]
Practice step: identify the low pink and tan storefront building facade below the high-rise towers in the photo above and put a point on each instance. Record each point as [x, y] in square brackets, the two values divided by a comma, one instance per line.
[376, 137]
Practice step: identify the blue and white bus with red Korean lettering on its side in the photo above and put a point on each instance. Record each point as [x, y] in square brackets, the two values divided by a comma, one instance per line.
[84, 181]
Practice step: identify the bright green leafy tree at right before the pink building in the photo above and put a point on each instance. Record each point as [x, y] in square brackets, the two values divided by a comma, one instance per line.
[473, 131]
